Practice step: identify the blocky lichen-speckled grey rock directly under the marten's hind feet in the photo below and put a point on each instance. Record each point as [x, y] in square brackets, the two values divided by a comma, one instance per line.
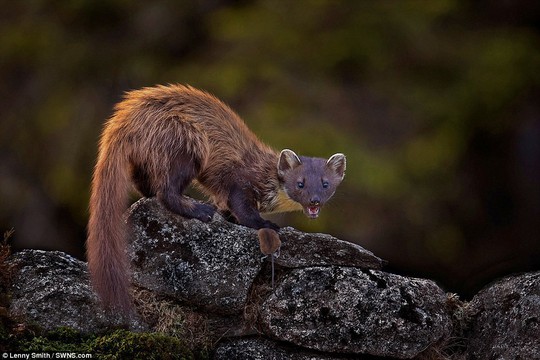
[209, 265]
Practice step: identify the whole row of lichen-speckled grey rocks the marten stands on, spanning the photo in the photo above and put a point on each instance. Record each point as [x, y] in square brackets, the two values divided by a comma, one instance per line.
[331, 299]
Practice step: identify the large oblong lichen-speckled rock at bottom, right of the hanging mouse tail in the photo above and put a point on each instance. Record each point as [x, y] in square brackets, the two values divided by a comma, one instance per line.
[351, 310]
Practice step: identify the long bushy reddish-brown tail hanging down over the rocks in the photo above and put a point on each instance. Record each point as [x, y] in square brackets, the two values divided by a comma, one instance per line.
[106, 243]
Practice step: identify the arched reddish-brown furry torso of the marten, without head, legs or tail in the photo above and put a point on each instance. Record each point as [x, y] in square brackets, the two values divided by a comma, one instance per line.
[164, 118]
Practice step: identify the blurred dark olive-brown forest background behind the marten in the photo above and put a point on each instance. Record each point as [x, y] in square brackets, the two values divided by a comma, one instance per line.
[435, 103]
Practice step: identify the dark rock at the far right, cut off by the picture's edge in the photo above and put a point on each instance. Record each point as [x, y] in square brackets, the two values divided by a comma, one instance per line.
[505, 320]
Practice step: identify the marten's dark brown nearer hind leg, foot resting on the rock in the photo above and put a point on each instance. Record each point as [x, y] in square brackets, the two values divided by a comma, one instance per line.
[182, 171]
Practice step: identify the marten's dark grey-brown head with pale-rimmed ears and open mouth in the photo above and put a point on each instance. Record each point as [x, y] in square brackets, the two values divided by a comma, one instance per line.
[310, 182]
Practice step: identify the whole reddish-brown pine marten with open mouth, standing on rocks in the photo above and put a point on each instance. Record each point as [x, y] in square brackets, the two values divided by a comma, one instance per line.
[163, 138]
